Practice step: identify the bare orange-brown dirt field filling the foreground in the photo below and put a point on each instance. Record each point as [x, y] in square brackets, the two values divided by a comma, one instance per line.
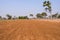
[30, 29]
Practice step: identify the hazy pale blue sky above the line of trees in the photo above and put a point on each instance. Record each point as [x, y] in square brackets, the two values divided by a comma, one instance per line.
[26, 7]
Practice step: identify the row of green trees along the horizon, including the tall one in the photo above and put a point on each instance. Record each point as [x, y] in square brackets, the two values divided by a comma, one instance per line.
[48, 8]
